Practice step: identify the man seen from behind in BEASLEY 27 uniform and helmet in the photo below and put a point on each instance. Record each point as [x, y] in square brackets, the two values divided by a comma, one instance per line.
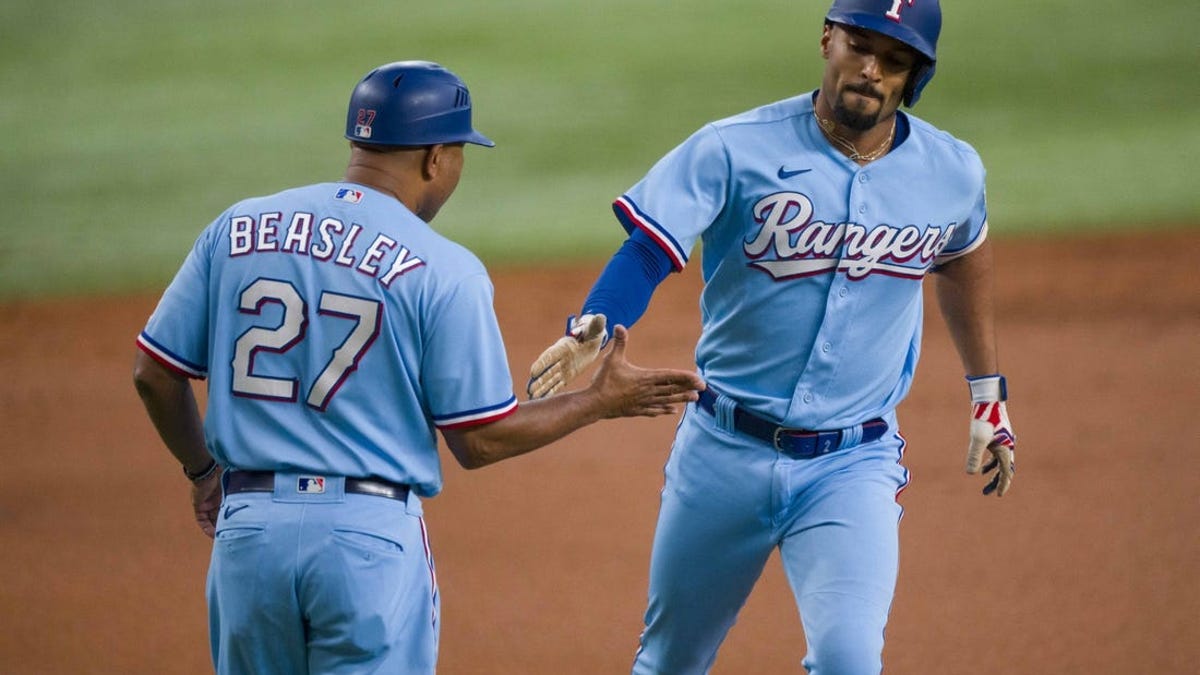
[338, 332]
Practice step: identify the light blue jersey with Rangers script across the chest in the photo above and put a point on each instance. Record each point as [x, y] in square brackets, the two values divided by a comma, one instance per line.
[791, 231]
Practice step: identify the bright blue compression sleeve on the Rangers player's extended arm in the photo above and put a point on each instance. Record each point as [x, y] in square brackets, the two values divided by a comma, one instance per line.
[623, 290]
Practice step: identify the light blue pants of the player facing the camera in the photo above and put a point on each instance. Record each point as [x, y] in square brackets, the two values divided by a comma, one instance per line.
[730, 501]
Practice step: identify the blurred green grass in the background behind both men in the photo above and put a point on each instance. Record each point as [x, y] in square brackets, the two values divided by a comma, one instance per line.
[128, 127]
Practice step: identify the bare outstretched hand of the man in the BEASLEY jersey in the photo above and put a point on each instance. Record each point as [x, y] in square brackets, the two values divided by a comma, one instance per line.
[629, 391]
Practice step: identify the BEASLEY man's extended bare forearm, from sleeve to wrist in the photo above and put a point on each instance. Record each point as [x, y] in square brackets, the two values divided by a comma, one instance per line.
[535, 425]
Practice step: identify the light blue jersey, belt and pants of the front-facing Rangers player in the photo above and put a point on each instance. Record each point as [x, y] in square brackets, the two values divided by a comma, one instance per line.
[812, 319]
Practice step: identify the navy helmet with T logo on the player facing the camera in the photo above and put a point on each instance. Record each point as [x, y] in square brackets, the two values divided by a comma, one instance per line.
[916, 23]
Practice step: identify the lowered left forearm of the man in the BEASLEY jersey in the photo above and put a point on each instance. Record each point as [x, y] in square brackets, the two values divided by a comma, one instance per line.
[173, 411]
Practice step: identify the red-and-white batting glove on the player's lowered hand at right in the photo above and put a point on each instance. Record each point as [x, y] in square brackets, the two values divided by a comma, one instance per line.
[992, 433]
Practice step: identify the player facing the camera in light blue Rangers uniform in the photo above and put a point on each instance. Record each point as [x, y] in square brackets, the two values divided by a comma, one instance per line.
[819, 217]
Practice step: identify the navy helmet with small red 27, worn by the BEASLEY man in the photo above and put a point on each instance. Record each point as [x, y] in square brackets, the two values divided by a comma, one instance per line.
[412, 104]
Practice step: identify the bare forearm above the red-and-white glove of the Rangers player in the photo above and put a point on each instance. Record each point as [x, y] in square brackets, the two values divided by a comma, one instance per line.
[965, 297]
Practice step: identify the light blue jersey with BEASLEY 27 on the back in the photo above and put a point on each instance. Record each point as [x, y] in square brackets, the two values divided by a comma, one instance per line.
[338, 331]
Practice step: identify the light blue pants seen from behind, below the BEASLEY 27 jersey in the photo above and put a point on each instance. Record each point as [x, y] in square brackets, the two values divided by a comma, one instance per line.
[326, 583]
